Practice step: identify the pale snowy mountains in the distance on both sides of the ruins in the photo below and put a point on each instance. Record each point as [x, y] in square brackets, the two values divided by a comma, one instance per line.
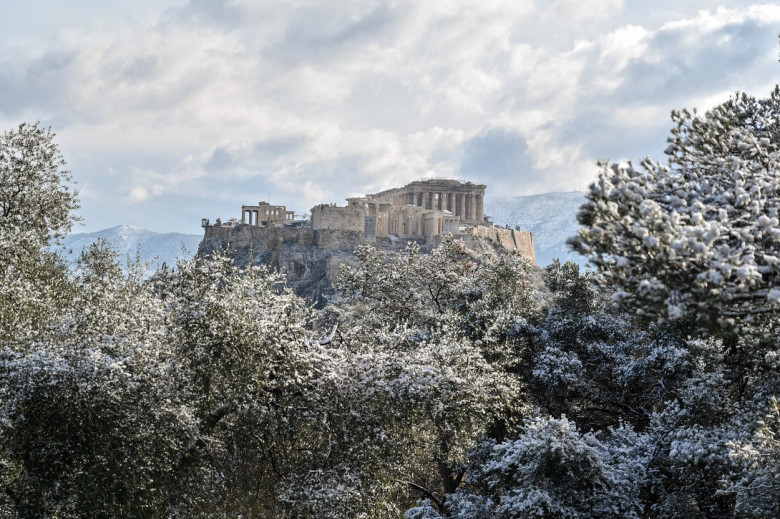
[550, 216]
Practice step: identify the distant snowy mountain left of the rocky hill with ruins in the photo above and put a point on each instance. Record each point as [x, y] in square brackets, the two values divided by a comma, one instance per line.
[153, 247]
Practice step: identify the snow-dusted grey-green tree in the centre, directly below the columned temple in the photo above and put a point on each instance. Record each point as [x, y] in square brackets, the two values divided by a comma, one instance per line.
[447, 320]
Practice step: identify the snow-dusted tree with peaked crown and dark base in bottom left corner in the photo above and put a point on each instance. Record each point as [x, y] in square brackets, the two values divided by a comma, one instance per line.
[91, 420]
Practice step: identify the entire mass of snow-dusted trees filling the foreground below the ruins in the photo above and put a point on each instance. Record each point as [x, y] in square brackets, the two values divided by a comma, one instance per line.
[443, 385]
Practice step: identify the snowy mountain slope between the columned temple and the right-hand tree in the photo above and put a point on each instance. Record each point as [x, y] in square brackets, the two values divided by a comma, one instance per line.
[552, 217]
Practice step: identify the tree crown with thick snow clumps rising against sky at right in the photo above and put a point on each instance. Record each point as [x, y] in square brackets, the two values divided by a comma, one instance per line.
[697, 237]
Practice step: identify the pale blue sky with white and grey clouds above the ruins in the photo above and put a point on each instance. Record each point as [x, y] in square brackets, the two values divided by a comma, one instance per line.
[171, 111]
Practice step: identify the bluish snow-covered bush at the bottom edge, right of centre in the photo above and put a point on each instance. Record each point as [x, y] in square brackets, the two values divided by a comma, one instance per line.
[551, 470]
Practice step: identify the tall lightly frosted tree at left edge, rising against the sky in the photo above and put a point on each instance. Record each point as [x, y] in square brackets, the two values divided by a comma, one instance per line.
[37, 204]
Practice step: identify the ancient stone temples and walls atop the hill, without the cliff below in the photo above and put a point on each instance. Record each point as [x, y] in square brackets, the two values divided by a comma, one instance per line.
[422, 211]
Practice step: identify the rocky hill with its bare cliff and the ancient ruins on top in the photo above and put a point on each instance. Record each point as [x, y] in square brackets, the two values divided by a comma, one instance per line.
[309, 248]
